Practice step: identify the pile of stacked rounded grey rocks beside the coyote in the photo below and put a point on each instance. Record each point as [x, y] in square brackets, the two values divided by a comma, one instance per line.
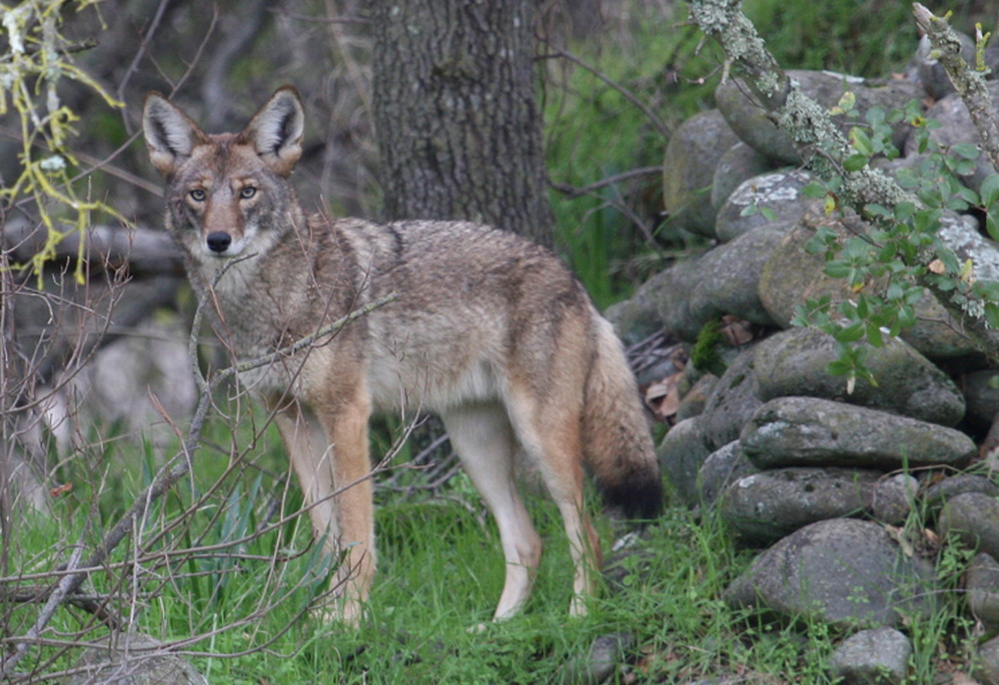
[822, 471]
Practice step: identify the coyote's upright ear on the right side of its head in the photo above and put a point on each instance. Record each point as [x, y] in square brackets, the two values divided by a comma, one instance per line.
[276, 131]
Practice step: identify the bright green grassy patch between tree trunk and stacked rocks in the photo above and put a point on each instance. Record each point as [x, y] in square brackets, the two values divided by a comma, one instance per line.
[614, 235]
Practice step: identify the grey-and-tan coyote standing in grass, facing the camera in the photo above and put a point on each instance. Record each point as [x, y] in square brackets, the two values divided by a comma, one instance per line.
[489, 330]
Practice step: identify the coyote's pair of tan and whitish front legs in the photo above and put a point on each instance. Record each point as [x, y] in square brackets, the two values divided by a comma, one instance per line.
[327, 445]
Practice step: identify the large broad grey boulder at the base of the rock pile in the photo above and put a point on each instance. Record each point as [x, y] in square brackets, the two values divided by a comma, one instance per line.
[846, 572]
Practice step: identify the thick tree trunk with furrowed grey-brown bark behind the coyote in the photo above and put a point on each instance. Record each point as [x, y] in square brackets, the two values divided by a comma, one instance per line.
[456, 113]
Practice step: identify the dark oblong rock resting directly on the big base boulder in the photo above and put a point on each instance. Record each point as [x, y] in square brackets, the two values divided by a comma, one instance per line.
[766, 506]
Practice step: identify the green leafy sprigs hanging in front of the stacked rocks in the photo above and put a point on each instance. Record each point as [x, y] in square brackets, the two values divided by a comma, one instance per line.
[887, 267]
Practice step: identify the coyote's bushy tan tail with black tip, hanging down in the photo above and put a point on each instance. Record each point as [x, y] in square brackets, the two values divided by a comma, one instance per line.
[617, 444]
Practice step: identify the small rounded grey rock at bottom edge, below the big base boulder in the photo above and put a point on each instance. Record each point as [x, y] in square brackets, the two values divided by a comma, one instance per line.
[879, 656]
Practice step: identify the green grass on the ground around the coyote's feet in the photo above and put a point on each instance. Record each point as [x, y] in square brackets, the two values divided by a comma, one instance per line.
[440, 573]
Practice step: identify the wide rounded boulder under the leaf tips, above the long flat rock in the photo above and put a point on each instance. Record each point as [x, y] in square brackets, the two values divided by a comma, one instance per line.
[796, 362]
